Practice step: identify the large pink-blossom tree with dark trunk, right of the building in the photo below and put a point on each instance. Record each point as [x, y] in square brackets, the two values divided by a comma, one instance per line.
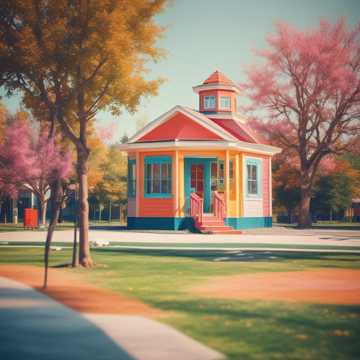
[307, 93]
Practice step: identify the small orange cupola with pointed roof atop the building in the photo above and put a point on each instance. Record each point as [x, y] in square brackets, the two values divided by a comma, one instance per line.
[217, 95]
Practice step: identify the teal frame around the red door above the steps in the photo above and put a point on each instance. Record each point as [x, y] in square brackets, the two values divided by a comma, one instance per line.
[206, 162]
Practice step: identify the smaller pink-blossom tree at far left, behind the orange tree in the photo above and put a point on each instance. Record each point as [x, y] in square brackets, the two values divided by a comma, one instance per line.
[31, 162]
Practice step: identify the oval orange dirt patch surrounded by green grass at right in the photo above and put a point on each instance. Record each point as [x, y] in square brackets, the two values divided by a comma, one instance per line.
[331, 286]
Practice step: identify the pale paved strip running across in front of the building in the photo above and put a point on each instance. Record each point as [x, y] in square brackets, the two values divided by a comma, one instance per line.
[276, 235]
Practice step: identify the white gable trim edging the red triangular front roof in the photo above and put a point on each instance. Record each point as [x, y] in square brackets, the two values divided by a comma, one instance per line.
[197, 117]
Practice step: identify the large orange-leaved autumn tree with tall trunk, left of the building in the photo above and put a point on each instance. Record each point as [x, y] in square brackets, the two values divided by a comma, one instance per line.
[75, 58]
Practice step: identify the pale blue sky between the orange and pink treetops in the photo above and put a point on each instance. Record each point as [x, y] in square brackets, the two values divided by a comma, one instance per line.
[207, 35]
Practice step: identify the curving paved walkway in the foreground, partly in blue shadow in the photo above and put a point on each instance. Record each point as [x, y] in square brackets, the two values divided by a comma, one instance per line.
[35, 327]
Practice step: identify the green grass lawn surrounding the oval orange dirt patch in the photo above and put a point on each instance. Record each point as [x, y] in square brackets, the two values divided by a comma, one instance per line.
[239, 329]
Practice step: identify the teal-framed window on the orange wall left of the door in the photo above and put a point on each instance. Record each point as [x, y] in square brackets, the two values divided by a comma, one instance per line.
[149, 163]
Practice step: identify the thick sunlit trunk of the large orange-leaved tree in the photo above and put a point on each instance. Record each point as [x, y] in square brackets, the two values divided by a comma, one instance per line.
[84, 248]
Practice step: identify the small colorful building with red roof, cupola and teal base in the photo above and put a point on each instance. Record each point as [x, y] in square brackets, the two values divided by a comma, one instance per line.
[203, 170]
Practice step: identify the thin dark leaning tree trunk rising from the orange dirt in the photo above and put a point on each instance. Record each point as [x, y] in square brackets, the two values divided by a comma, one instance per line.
[56, 196]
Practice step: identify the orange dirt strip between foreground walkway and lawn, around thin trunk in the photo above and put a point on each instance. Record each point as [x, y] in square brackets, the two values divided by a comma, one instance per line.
[71, 290]
